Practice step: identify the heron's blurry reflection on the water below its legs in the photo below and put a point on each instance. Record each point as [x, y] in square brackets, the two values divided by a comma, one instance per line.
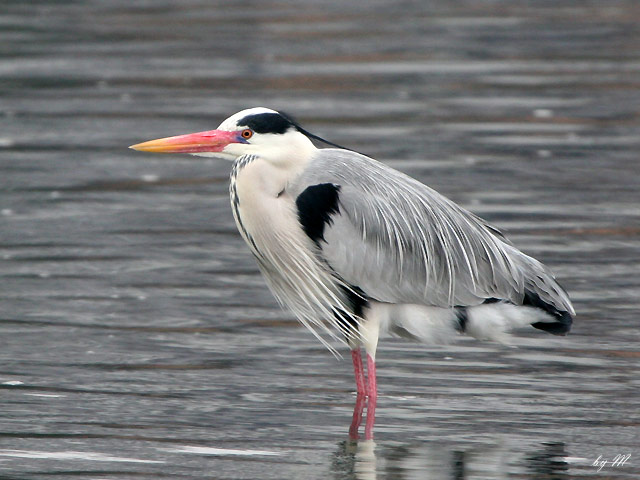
[365, 460]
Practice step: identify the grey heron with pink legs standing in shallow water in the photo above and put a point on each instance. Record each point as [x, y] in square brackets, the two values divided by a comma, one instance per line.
[356, 249]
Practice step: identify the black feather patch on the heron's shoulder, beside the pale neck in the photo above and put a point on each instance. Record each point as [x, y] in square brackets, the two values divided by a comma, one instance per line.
[315, 205]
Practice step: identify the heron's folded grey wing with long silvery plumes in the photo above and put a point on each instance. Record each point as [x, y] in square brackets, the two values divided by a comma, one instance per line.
[400, 241]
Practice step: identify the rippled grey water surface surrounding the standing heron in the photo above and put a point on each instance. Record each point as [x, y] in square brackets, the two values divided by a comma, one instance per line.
[137, 337]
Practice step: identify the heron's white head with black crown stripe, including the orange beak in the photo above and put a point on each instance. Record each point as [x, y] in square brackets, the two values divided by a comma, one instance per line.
[260, 131]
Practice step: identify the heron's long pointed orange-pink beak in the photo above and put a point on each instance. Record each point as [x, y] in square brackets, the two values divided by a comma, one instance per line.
[209, 141]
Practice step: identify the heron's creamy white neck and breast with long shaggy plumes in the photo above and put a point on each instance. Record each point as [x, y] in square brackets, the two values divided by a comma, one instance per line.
[267, 218]
